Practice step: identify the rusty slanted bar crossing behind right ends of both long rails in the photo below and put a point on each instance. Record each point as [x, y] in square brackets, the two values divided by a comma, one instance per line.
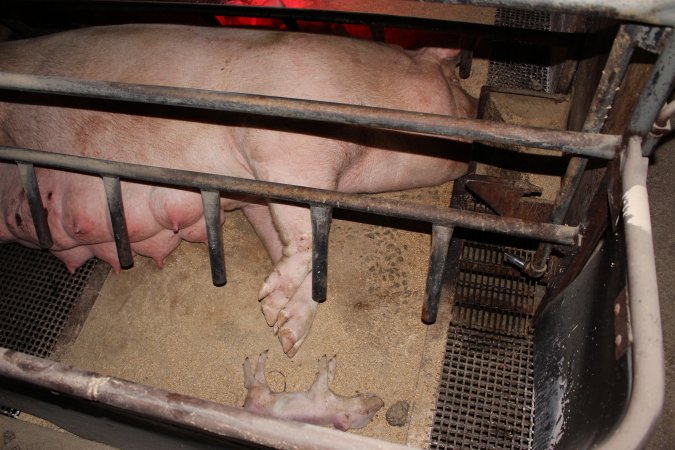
[615, 69]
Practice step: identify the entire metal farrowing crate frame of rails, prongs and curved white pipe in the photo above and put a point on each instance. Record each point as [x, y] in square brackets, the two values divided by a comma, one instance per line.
[647, 392]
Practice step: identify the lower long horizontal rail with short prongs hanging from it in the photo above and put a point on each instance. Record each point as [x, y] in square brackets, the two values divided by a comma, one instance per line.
[366, 203]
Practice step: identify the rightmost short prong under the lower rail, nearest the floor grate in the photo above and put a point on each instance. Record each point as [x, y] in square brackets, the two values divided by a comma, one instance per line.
[440, 243]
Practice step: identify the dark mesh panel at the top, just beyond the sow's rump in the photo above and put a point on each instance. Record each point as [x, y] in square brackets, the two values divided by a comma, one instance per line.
[520, 66]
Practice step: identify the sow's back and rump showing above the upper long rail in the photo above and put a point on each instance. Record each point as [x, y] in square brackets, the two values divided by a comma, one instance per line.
[297, 65]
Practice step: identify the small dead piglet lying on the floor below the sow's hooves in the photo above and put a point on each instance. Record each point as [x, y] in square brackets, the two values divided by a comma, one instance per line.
[319, 405]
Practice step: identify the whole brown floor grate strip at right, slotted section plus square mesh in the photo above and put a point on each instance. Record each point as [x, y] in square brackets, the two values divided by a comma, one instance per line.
[485, 397]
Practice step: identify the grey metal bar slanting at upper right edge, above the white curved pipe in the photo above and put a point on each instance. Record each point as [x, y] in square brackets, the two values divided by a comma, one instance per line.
[654, 95]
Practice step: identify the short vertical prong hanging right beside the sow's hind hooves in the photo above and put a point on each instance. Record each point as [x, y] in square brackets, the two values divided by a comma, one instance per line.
[321, 220]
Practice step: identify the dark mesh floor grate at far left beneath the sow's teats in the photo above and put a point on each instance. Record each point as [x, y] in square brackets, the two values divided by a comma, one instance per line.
[37, 296]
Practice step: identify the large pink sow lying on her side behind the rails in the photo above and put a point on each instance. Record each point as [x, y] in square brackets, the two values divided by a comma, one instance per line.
[295, 65]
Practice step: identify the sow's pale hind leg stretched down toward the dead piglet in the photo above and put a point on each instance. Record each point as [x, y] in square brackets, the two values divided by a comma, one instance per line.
[286, 292]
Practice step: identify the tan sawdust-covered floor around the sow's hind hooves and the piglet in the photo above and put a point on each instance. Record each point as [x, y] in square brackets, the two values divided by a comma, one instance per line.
[173, 329]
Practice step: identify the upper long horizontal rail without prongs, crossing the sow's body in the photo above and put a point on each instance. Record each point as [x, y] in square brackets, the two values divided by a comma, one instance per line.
[596, 145]
